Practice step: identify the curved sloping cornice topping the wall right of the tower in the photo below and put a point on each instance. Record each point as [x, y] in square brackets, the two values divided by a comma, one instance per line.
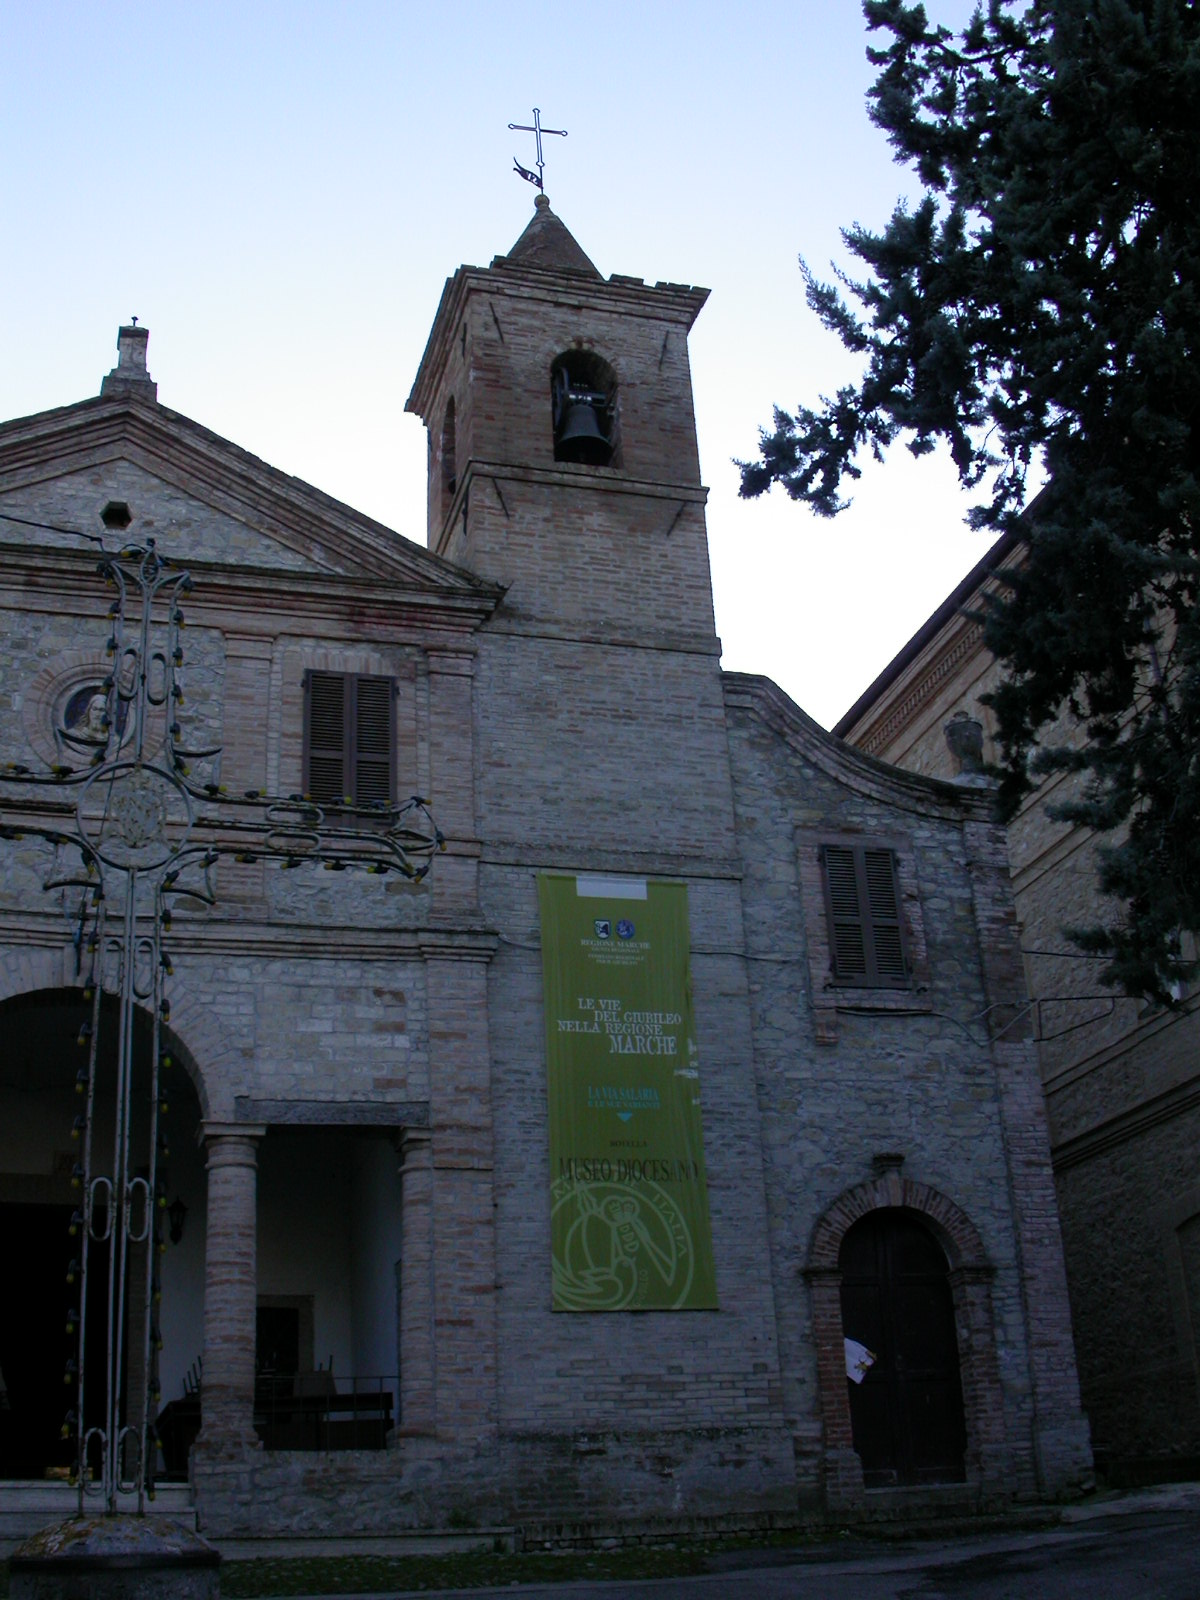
[849, 766]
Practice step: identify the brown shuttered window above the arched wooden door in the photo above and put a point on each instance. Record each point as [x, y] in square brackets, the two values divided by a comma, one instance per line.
[866, 937]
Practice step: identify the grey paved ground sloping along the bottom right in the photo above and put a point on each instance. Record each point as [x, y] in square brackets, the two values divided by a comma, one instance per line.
[1129, 1548]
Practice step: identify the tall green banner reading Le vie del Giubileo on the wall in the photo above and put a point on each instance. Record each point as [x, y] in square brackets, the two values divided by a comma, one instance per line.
[630, 1202]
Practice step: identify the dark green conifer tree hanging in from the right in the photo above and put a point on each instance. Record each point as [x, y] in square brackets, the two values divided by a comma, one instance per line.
[1042, 305]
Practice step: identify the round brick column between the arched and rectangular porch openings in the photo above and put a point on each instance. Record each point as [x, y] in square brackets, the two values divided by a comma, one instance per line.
[231, 1290]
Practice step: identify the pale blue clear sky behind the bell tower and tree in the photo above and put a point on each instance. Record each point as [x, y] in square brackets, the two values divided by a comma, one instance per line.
[279, 191]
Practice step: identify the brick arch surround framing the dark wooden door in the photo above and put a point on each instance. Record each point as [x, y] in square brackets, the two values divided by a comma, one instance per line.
[975, 1326]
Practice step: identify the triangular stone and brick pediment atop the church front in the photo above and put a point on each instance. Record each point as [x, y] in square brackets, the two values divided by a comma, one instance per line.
[186, 484]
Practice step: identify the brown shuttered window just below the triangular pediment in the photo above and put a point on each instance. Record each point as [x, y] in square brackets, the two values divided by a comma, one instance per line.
[350, 737]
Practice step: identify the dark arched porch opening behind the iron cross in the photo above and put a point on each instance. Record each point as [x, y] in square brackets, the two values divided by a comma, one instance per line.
[41, 1142]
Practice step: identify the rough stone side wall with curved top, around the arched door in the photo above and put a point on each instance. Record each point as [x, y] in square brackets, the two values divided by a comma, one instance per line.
[938, 1079]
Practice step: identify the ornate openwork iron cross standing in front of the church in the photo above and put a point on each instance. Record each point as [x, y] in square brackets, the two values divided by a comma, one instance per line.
[140, 828]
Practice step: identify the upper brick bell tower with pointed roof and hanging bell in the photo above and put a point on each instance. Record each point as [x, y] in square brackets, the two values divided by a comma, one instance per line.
[562, 441]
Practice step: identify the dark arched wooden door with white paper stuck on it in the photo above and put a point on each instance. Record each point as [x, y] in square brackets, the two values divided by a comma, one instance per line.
[908, 1412]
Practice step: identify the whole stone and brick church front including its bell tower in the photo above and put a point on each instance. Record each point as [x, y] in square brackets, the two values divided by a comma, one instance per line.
[375, 1318]
